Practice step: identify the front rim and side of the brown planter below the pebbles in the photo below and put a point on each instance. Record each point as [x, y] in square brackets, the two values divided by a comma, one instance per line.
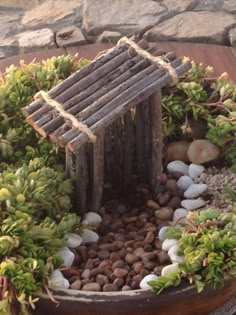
[177, 301]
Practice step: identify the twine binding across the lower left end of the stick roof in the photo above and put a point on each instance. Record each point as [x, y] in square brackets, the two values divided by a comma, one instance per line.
[75, 122]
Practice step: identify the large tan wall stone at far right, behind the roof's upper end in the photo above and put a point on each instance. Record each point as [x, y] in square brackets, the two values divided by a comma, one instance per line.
[203, 27]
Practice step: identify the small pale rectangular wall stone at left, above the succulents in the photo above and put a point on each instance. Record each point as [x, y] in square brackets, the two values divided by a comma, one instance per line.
[34, 40]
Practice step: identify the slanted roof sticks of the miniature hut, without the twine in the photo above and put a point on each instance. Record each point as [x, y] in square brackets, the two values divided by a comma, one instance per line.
[101, 92]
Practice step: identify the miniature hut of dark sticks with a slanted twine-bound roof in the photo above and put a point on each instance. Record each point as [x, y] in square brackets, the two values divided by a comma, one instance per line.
[116, 99]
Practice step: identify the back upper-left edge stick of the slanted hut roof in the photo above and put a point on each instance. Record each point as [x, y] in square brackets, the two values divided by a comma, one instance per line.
[28, 110]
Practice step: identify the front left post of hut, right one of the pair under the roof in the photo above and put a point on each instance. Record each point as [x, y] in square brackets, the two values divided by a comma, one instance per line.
[98, 172]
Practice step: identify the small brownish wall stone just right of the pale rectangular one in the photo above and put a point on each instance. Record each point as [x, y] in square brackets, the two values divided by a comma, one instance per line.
[70, 36]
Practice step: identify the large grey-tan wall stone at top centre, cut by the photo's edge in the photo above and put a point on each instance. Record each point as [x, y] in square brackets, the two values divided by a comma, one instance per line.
[124, 16]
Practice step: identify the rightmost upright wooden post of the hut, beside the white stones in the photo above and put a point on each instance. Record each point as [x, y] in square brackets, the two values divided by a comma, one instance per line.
[156, 134]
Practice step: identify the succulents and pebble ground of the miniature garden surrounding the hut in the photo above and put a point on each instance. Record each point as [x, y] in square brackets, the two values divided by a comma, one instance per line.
[139, 238]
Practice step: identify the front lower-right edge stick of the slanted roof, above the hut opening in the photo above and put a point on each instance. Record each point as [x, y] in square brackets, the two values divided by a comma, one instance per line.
[127, 105]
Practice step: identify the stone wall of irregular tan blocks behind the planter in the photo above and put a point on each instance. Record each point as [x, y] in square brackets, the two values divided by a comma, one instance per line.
[29, 25]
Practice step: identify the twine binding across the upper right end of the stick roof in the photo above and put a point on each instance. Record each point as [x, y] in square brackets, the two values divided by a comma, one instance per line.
[154, 59]
